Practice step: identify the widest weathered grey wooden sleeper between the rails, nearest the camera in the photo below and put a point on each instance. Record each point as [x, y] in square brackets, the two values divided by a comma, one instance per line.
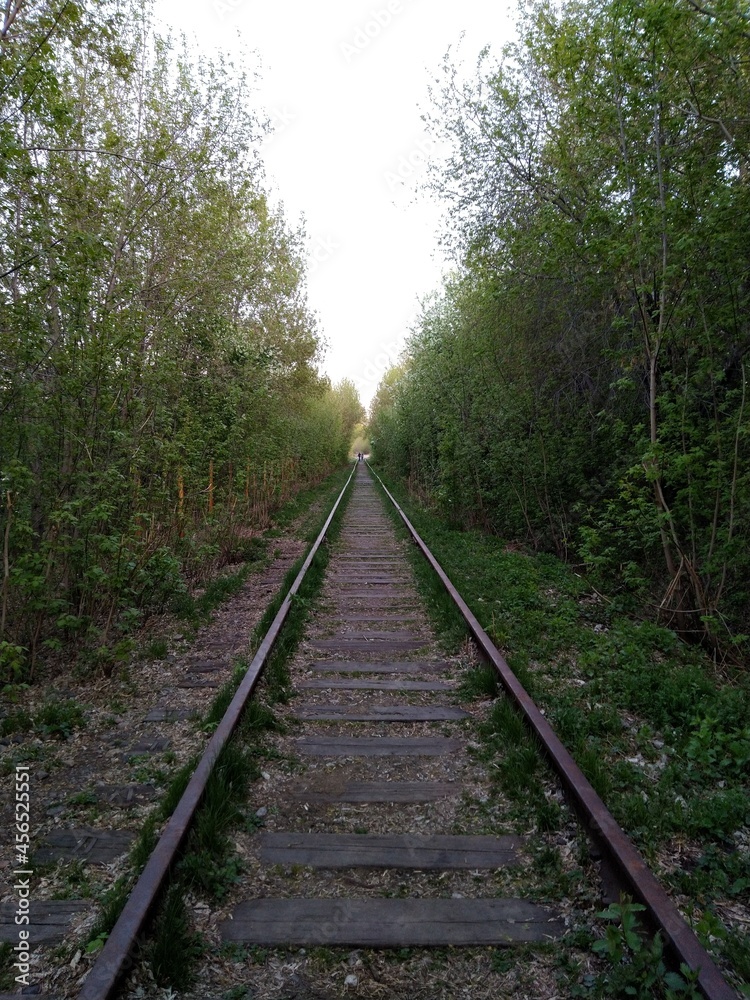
[391, 923]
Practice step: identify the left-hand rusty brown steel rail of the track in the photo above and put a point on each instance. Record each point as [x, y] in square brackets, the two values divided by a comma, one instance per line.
[118, 952]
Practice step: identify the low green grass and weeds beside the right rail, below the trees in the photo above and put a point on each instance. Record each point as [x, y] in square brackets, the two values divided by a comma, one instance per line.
[663, 738]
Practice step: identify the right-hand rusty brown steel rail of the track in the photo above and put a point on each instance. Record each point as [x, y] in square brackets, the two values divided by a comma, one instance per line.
[679, 937]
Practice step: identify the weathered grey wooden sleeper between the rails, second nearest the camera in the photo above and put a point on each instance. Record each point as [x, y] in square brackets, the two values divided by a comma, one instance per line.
[332, 850]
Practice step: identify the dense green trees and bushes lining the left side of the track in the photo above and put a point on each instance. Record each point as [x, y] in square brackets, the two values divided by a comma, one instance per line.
[159, 385]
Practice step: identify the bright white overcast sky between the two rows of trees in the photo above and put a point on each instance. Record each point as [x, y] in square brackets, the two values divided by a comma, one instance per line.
[345, 83]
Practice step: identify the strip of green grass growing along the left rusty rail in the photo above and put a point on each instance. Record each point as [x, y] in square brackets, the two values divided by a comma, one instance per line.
[209, 866]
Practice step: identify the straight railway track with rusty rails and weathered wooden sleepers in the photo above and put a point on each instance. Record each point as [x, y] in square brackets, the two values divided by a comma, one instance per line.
[381, 839]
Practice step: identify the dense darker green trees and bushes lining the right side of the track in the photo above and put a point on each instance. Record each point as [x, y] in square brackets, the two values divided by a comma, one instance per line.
[580, 381]
